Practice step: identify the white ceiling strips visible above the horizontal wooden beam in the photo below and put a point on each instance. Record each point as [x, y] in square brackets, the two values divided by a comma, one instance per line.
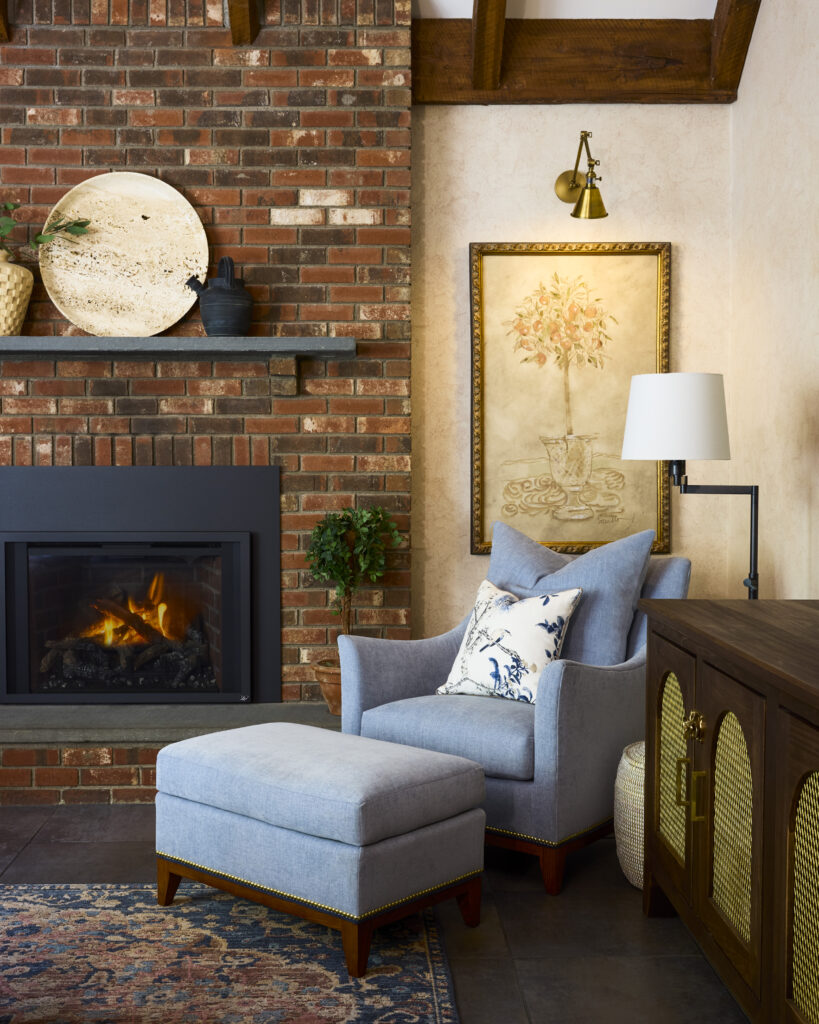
[574, 9]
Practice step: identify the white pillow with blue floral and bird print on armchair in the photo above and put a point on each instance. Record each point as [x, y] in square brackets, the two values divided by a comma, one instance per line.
[509, 643]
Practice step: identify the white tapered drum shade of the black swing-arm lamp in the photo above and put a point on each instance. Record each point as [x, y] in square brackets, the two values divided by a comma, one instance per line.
[676, 417]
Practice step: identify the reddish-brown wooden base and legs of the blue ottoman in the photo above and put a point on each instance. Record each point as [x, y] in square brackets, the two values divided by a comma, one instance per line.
[356, 935]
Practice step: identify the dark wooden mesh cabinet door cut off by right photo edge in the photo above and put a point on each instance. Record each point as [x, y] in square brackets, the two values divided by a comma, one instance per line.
[797, 928]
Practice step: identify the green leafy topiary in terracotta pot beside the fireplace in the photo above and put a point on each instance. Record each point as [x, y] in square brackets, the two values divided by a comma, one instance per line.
[349, 548]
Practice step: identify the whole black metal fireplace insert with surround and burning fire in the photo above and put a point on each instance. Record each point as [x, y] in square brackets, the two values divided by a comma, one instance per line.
[140, 585]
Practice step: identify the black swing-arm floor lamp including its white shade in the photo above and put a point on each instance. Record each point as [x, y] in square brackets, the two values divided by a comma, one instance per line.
[674, 415]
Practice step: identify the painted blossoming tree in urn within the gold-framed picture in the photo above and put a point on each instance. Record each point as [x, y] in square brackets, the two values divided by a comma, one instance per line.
[565, 324]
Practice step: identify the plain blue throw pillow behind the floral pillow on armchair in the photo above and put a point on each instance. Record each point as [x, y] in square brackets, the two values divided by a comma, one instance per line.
[611, 577]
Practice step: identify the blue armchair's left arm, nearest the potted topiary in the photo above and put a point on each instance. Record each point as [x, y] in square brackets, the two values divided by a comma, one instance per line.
[376, 672]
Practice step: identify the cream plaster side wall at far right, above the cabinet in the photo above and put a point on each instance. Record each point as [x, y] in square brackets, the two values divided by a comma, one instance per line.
[775, 274]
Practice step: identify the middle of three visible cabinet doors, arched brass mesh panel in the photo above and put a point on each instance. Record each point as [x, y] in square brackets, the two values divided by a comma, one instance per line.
[727, 810]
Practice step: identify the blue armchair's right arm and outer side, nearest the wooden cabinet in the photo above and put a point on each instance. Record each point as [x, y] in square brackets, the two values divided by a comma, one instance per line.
[585, 716]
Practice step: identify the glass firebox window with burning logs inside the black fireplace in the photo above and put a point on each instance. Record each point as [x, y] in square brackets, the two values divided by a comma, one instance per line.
[109, 621]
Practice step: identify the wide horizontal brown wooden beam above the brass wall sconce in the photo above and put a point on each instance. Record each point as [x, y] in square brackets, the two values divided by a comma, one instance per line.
[664, 61]
